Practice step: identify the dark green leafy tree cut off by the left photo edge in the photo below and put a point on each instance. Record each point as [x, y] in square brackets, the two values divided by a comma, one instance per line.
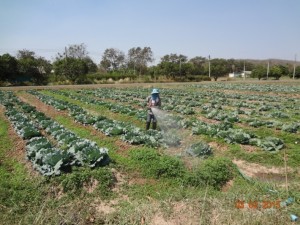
[8, 67]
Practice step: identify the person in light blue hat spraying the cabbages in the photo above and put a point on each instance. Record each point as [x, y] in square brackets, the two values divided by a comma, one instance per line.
[152, 101]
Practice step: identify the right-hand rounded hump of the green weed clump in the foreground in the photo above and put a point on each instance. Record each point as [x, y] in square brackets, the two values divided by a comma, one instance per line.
[214, 172]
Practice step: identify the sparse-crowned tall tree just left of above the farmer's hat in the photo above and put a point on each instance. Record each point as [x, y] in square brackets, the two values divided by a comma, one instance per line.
[138, 58]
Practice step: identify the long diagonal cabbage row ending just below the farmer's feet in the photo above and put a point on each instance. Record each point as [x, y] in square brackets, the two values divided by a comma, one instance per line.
[127, 132]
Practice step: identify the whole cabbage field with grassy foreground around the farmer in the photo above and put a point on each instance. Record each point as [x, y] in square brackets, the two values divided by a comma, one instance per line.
[85, 157]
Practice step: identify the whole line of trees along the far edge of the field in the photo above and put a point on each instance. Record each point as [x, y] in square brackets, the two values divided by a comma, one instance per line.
[76, 66]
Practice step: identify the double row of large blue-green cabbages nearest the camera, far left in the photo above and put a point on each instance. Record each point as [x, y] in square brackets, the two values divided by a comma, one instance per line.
[51, 156]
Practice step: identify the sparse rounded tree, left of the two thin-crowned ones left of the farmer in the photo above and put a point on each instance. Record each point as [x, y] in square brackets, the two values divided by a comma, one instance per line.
[112, 59]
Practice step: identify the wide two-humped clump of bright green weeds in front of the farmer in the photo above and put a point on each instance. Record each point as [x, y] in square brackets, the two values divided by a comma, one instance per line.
[214, 172]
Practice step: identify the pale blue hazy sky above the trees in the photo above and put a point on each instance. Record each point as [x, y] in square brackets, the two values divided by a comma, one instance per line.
[255, 29]
